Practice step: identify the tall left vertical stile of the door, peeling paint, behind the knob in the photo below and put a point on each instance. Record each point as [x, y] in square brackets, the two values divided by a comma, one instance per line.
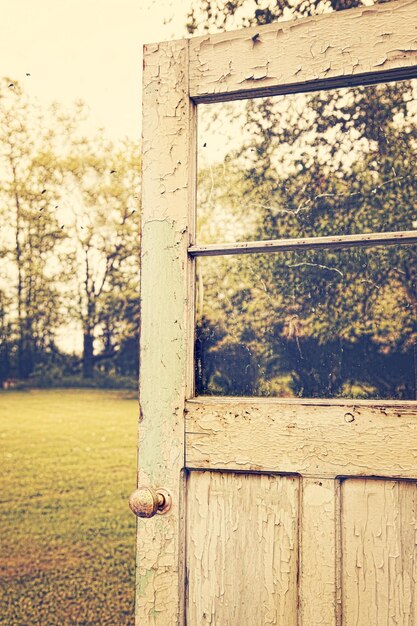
[167, 166]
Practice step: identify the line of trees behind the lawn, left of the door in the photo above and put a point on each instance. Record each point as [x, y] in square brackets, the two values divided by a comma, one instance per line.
[69, 246]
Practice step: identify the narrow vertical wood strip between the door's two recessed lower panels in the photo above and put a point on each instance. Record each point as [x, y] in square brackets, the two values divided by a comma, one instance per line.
[318, 541]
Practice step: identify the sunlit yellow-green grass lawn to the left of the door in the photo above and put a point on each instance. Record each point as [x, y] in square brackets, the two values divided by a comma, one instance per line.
[67, 537]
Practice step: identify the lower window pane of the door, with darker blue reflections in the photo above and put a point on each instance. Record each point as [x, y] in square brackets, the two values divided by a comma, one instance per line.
[327, 323]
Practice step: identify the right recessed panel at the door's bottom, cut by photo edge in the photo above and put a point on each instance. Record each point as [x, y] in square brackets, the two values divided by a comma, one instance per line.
[379, 530]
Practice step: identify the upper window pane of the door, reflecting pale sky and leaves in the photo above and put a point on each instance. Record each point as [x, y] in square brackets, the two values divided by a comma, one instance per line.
[303, 165]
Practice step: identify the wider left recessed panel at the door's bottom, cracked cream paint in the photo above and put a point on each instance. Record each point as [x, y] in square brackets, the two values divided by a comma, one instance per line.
[242, 547]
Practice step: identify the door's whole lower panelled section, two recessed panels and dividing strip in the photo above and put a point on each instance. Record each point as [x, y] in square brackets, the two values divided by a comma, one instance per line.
[268, 549]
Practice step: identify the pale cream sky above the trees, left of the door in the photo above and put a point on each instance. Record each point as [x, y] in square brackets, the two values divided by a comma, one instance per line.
[86, 49]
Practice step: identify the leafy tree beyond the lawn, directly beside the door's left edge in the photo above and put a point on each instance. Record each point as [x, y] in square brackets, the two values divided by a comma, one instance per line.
[104, 184]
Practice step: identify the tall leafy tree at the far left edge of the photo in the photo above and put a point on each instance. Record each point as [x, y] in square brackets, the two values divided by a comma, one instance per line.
[31, 235]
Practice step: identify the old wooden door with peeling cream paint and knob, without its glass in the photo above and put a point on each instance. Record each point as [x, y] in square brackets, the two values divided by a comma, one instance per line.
[288, 511]
